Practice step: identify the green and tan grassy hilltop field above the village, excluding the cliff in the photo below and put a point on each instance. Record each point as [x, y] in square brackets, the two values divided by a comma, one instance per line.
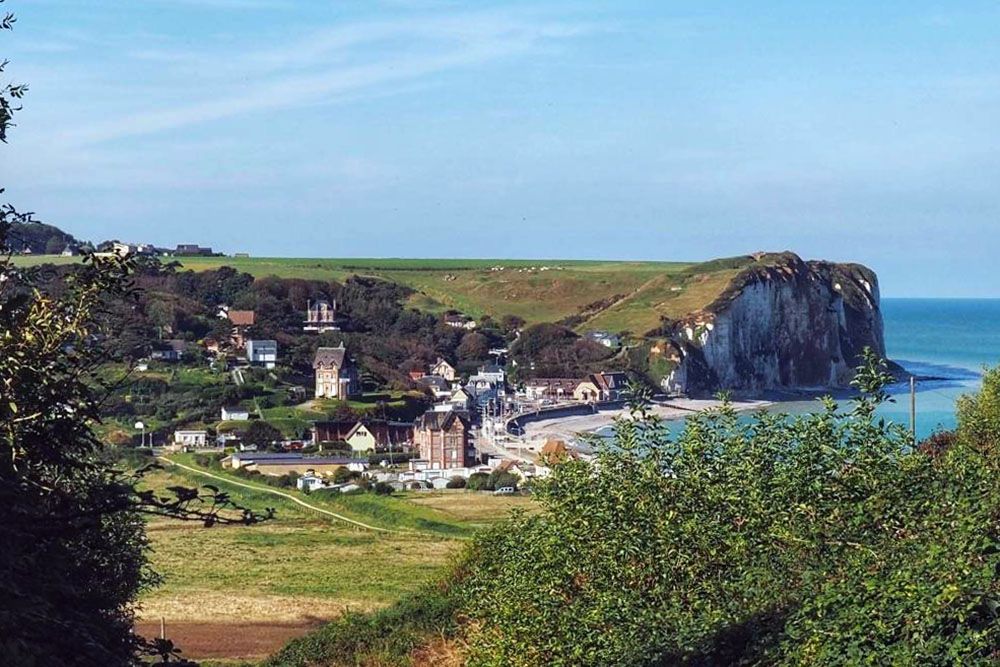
[621, 295]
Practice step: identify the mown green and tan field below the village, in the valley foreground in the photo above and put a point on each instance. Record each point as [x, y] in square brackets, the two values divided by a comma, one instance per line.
[235, 593]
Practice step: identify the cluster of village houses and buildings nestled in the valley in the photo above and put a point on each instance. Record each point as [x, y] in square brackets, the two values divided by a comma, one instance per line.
[470, 436]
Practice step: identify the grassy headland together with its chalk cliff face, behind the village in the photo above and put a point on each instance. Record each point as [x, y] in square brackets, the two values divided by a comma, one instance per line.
[754, 322]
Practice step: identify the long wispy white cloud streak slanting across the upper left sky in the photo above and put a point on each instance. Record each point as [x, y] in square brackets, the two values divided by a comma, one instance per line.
[326, 66]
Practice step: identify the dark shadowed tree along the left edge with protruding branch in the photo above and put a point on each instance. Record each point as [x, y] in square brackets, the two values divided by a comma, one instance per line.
[73, 559]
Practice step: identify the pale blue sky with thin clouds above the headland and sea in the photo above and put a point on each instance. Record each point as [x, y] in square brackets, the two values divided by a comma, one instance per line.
[850, 131]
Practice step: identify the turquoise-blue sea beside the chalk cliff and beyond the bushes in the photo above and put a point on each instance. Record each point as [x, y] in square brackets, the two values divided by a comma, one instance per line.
[946, 343]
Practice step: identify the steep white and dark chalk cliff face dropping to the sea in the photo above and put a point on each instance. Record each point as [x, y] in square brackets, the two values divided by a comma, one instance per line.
[783, 323]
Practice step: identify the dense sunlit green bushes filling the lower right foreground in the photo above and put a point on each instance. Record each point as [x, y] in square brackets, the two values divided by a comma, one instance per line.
[821, 539]
